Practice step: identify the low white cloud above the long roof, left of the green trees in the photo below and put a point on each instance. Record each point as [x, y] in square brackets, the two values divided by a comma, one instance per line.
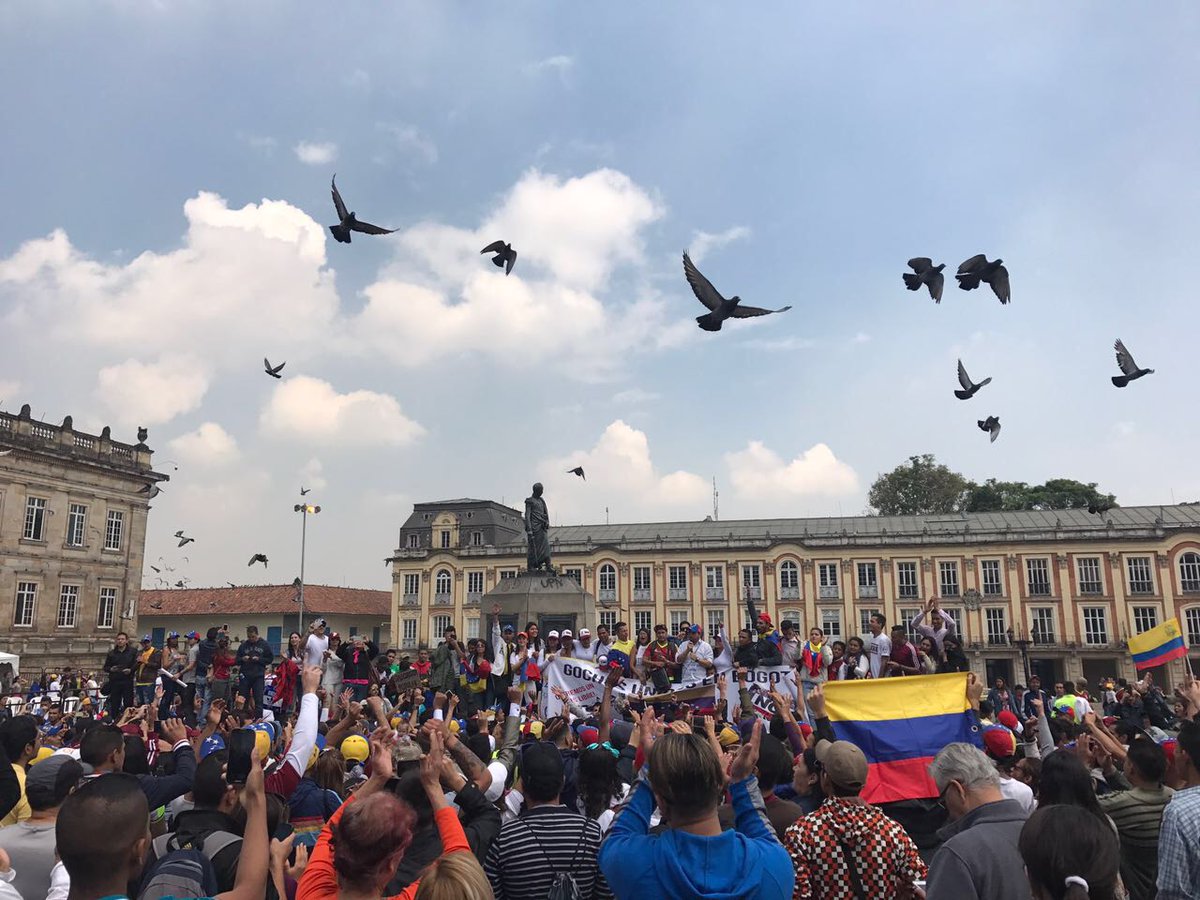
[759, 473]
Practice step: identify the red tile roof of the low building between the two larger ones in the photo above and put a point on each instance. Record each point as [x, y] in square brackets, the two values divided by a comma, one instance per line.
[265, 598]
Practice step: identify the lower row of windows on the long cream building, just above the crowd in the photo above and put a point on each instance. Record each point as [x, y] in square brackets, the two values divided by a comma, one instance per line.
[1043, 629]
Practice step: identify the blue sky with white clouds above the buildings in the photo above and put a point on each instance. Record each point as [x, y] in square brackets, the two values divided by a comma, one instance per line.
[167, 170]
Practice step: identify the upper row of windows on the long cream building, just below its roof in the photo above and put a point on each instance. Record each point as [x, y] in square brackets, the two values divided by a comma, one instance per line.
[1141, 579]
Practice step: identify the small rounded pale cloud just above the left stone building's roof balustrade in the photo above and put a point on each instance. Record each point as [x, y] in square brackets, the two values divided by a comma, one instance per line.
[152, 394]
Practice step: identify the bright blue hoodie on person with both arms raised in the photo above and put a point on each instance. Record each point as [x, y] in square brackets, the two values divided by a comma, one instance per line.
[748, 863]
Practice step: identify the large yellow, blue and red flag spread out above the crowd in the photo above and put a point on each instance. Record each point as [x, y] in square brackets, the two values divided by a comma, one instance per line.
[901, 724]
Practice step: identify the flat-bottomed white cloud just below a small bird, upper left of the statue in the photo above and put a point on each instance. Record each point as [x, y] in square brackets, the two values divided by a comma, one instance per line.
[313, 411]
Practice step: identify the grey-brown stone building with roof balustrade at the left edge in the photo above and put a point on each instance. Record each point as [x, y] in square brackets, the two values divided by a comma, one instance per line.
[73, 539]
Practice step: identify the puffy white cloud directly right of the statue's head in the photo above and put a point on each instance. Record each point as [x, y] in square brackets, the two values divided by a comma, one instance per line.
[620, 472]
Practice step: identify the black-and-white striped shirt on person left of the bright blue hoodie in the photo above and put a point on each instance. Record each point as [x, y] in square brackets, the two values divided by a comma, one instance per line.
[541, 843]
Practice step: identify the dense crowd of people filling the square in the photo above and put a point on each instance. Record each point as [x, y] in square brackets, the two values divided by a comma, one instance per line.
[334, 770]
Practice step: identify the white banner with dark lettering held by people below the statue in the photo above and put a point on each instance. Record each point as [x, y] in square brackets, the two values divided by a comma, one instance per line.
[584, 683]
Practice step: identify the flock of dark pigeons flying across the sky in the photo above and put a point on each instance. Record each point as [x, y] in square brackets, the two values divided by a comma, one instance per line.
[971, 274]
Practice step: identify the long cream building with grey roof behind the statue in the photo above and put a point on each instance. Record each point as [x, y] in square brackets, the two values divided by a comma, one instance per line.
[1058, 593]
